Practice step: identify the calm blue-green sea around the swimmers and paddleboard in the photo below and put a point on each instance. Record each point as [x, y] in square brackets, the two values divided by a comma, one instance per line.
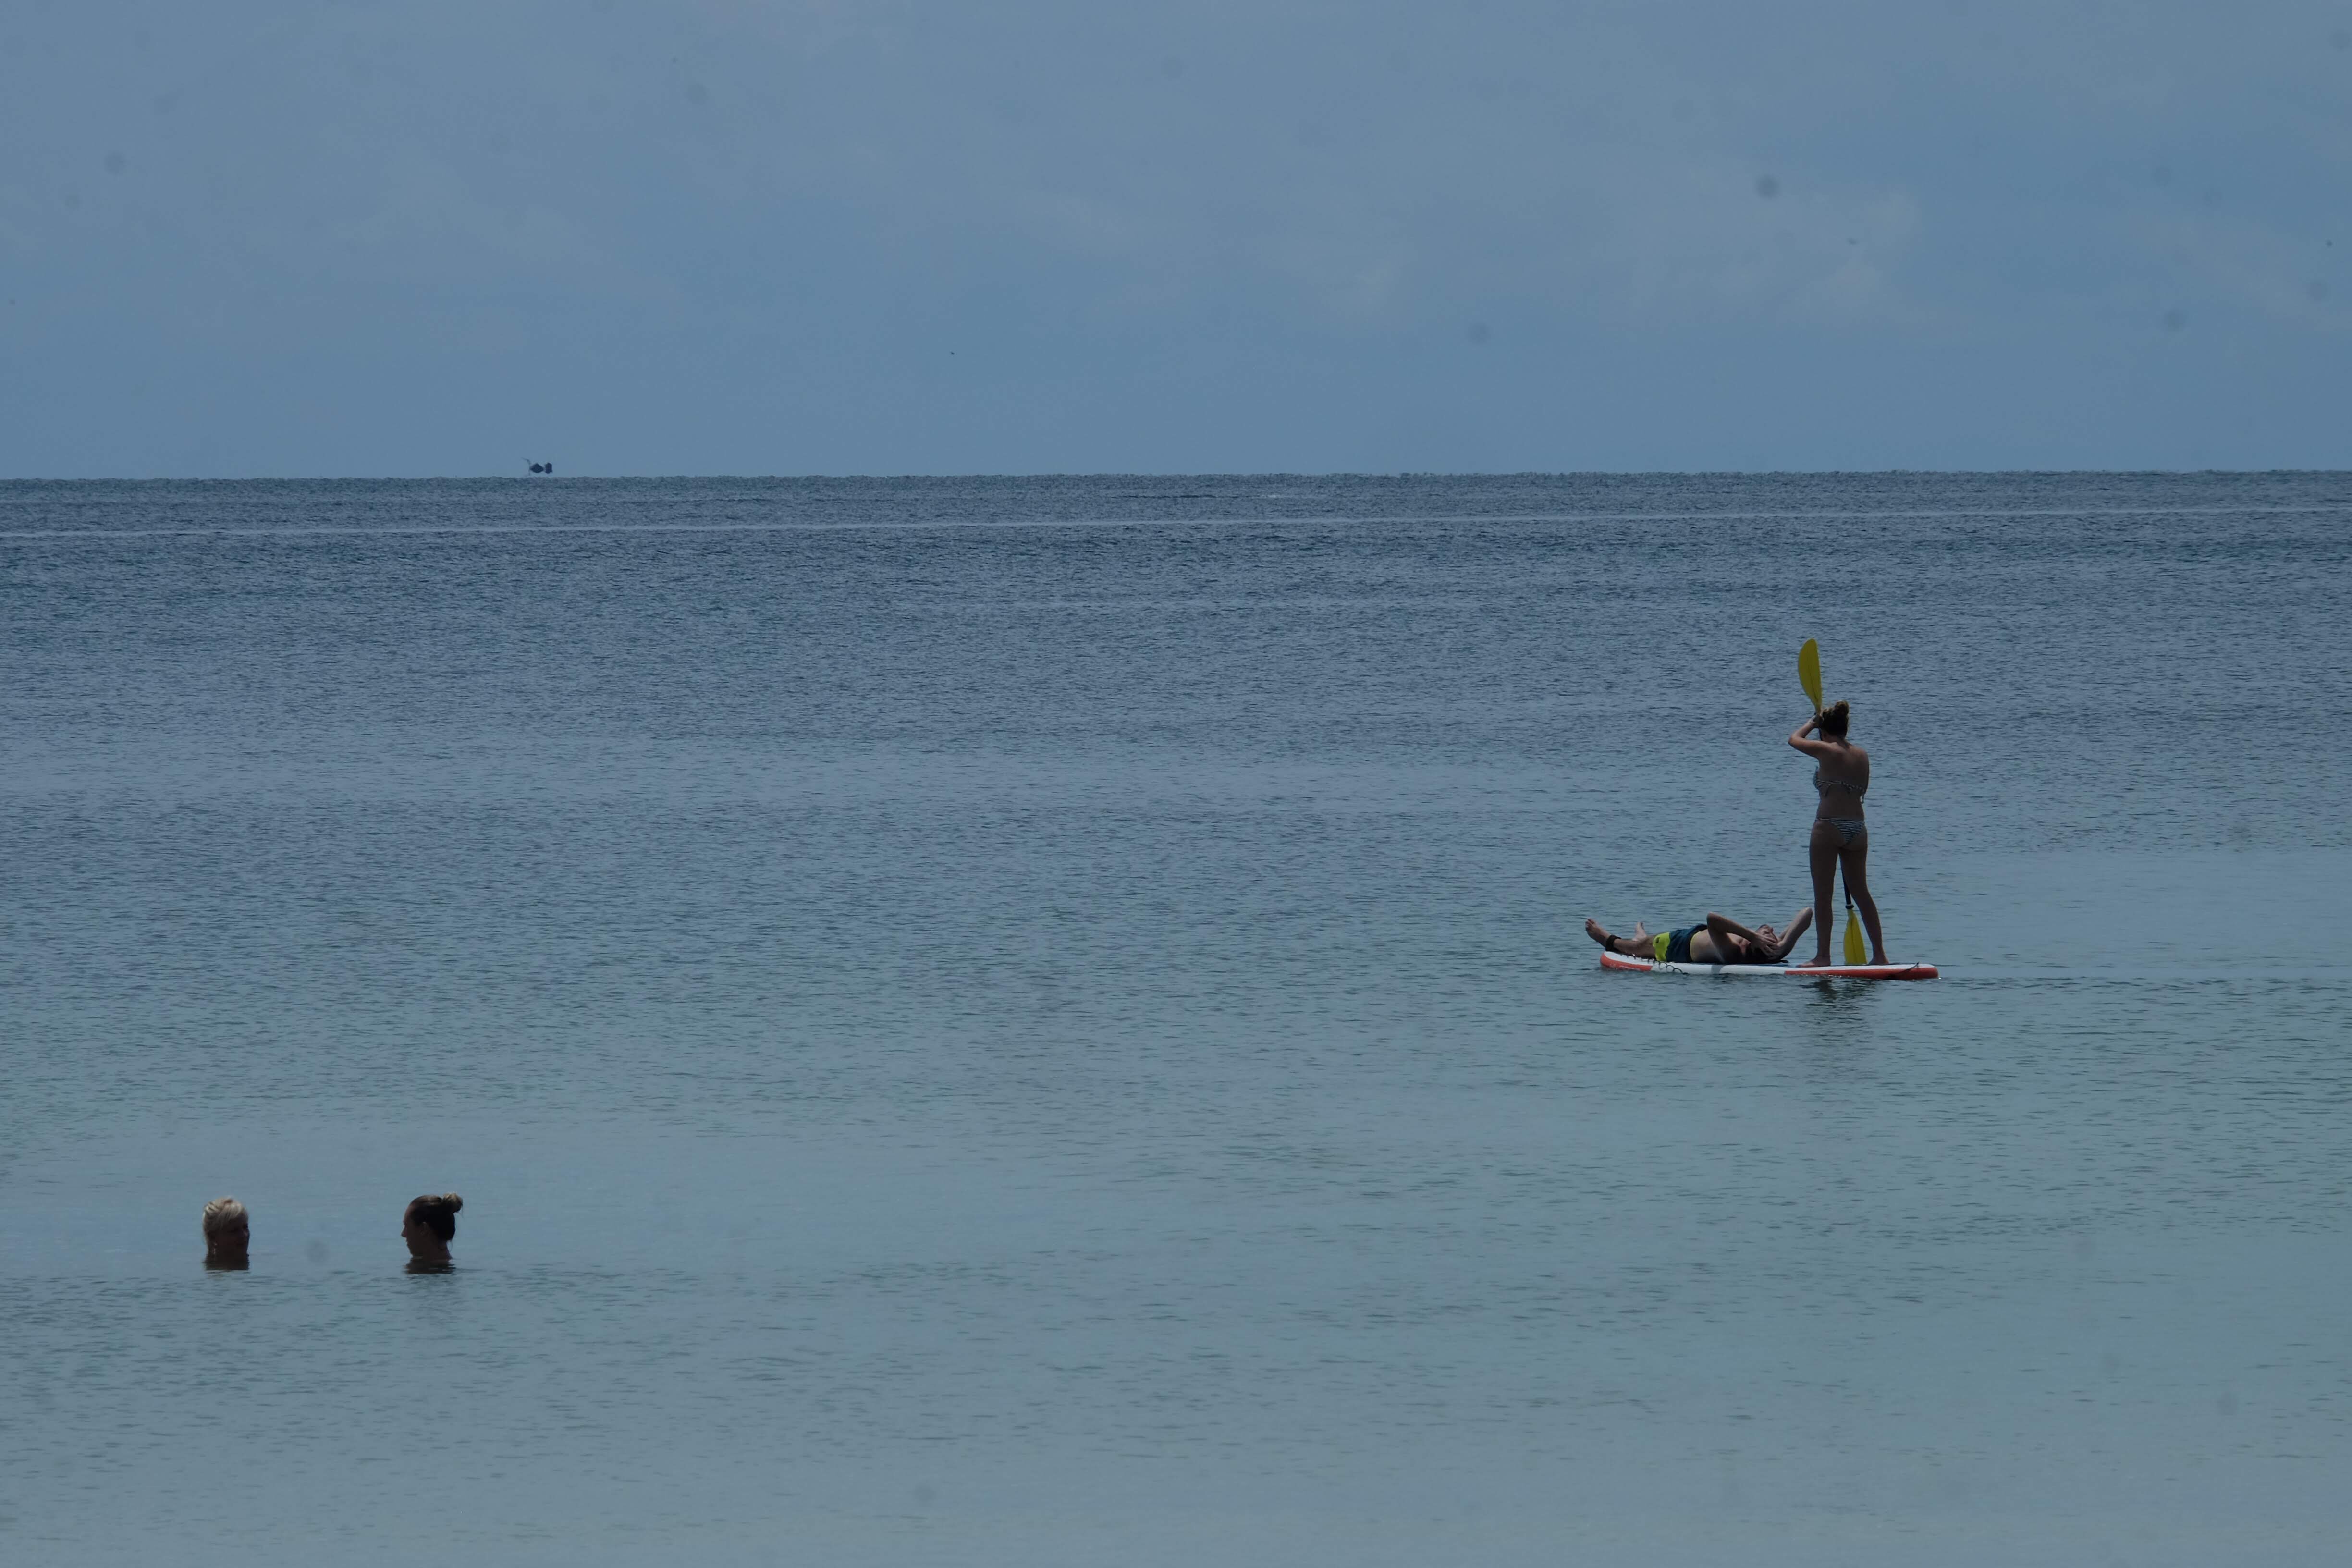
[1048, 1021]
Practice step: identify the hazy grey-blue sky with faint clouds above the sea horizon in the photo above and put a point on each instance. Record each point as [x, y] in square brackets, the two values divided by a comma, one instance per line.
[1036, 236]
